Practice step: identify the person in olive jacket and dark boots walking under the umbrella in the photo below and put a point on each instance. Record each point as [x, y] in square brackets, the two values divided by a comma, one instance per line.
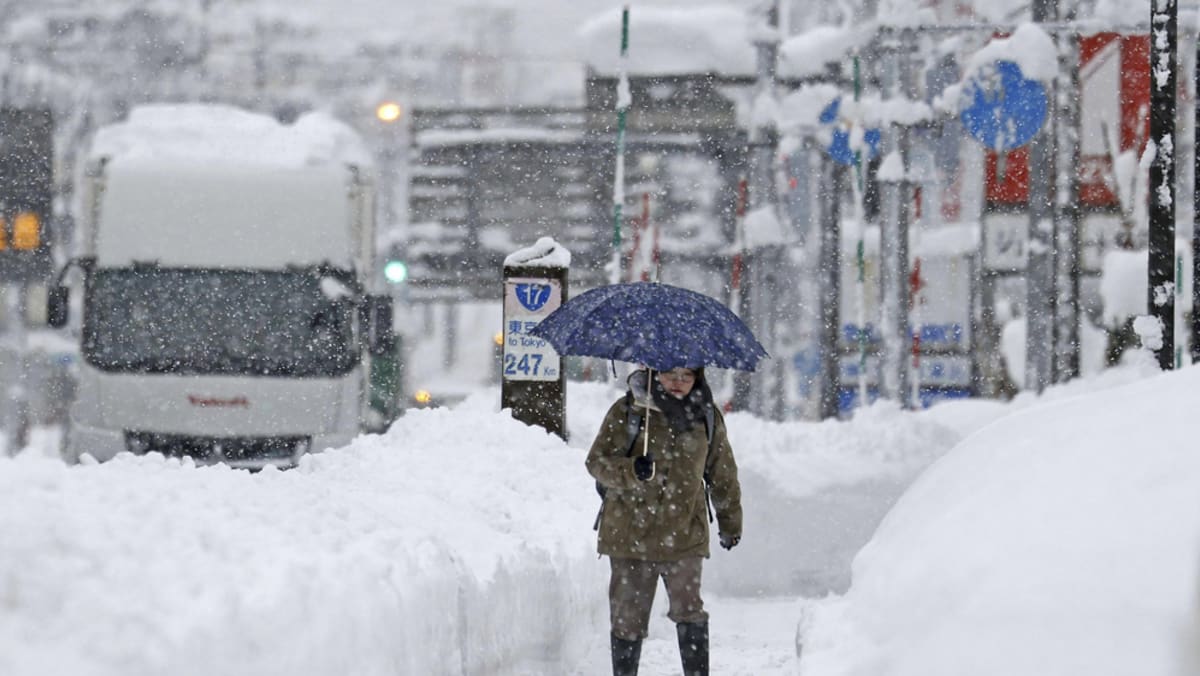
[661, 454]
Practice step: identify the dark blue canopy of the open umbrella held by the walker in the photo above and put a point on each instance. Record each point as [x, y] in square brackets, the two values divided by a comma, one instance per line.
[662, 326]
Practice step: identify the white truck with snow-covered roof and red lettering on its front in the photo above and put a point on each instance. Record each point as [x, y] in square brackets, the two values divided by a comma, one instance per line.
[226, 314]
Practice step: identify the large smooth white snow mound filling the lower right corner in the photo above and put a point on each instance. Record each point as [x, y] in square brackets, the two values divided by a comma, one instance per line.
[1063, 540]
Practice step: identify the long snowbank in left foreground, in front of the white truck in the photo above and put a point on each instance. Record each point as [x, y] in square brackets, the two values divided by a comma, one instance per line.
[448, 546]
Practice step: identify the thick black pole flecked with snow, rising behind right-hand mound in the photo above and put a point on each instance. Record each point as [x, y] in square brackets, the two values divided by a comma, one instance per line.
[1162, 176]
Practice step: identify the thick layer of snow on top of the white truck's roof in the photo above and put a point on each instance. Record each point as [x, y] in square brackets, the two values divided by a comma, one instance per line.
[229, 136]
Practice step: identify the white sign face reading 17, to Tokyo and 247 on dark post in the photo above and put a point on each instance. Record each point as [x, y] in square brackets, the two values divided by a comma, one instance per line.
[527, 302]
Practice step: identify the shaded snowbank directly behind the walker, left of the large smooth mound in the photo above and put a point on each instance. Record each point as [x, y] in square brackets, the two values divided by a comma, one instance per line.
[814, 493]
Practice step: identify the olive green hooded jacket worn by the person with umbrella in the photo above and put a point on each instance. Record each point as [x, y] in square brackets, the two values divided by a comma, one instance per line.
[667, 518]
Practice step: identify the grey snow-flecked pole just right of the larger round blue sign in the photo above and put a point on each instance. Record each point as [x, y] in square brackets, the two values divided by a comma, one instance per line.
[1040, 274]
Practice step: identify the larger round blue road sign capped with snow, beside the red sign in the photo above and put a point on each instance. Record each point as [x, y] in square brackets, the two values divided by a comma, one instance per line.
[1003, 109]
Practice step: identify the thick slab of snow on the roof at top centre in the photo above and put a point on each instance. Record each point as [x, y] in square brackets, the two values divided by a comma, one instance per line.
[671, 41]
